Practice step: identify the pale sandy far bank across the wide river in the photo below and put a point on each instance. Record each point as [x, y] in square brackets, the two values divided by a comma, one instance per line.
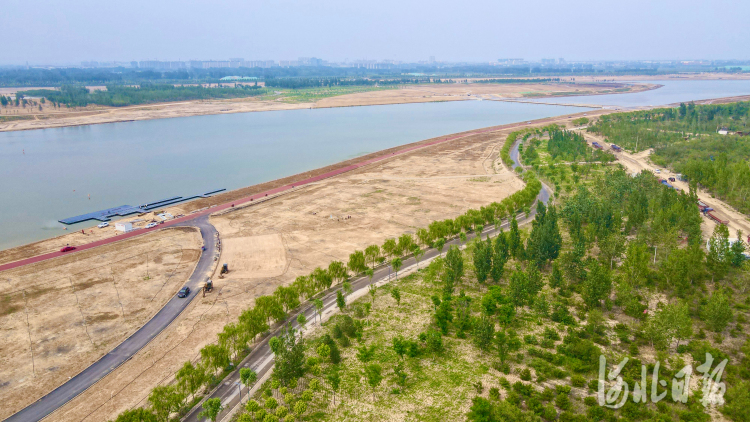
[50, 117]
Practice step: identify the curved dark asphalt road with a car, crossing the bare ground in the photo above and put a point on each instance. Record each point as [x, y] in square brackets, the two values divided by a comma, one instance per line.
[130, 346]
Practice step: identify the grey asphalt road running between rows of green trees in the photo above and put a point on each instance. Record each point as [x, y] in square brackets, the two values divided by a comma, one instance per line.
[261, 358]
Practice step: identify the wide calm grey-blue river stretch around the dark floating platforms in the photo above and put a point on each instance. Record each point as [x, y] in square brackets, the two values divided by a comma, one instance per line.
[138, 162]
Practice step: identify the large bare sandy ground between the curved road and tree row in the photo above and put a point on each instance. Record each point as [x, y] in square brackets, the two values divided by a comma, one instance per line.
[270, 244]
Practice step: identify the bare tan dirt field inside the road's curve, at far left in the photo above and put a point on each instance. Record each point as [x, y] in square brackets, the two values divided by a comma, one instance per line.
[59, 316]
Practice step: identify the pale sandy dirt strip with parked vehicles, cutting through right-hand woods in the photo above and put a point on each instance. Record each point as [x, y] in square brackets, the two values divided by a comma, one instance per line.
[635, 163]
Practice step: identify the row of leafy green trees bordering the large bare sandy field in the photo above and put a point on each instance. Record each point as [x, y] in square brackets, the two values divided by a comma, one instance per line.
[233, 343]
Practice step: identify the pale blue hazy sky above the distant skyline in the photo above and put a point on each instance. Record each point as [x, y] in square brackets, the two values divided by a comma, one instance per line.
[56, 32]
